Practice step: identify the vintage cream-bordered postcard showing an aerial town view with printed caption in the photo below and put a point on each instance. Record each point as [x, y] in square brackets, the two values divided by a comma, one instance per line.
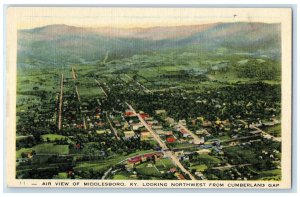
[148, 97]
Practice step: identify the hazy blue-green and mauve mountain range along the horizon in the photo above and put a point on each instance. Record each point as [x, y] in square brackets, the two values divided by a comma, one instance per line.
[63, 44]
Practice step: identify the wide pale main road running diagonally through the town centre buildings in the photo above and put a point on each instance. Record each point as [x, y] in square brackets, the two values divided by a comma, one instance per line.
[164, 147]
